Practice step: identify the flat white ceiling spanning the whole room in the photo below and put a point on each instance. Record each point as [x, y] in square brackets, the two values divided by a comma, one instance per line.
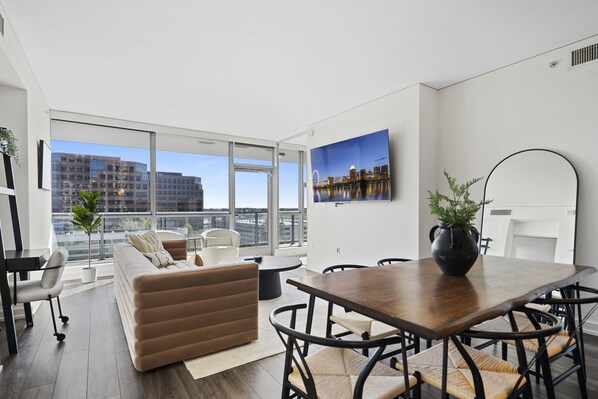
[268, 68]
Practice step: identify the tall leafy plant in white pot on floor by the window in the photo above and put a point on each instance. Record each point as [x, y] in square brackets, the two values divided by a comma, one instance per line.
[86, 217]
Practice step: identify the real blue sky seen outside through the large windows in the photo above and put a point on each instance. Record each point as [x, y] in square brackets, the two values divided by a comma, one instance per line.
[251, 188]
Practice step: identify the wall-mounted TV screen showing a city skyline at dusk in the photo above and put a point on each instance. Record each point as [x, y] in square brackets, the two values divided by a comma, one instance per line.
[357, 169]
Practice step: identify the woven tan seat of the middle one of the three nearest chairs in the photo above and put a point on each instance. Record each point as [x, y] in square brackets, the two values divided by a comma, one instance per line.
[500, 377]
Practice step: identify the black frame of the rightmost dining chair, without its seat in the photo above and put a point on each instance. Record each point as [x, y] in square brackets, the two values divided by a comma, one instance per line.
[569, 306]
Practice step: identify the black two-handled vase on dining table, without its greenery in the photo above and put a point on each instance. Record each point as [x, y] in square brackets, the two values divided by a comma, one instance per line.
[454, 249]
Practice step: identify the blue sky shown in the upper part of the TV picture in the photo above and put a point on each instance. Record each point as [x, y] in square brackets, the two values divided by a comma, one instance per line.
[363, 152]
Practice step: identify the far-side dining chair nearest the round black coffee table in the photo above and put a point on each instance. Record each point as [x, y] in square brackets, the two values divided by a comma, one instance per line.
[360, 325]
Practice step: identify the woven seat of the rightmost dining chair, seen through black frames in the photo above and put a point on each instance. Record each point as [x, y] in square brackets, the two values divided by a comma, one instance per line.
[554, 345]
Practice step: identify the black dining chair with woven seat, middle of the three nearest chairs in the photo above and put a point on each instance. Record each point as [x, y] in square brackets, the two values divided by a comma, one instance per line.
[472, 373]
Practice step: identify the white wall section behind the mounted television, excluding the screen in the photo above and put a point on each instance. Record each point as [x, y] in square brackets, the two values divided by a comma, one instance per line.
[364, 232]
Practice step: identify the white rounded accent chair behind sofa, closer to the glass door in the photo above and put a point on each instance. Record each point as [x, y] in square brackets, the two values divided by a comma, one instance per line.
[219, 244]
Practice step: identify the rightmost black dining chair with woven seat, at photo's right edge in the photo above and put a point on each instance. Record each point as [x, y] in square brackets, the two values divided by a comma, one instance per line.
[567, 343]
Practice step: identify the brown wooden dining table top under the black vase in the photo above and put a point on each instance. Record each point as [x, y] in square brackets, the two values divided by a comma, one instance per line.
[417, 297]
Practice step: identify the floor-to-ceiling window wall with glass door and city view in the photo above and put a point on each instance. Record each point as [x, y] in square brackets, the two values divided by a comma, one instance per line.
[173, 182]
